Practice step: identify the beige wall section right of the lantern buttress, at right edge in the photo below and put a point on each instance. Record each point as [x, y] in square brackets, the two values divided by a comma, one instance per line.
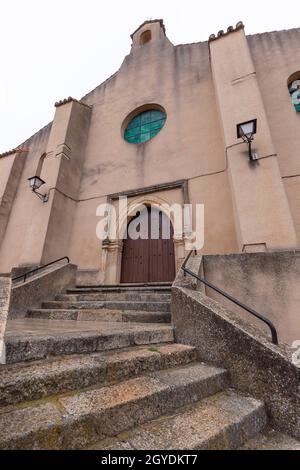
[276, 57]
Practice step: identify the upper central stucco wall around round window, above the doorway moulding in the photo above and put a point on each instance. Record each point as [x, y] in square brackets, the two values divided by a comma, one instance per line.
[178, 79]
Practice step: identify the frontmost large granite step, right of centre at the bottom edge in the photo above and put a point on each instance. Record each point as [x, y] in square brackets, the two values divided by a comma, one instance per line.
[224, 421]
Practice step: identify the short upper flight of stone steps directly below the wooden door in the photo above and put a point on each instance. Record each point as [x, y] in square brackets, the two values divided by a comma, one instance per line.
[138, 303]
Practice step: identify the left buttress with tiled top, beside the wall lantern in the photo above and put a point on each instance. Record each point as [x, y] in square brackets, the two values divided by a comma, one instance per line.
[62, 168]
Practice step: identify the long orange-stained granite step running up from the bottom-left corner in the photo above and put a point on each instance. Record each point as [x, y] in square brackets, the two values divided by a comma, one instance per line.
[79, 420]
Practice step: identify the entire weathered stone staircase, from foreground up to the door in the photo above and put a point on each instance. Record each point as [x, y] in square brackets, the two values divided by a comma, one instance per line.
[118, 382]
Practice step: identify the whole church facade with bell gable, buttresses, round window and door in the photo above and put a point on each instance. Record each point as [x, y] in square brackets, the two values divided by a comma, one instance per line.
[163, 131]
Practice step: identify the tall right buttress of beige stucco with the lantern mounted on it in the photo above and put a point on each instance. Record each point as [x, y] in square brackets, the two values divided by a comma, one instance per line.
[262, 213]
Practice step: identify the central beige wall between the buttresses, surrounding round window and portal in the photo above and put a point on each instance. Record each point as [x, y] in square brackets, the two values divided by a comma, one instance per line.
[189, 146]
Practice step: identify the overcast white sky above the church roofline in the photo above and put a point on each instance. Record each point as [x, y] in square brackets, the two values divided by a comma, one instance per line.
[51, 49]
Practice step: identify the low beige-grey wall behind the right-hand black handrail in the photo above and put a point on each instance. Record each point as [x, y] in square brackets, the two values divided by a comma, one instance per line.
[269, 282]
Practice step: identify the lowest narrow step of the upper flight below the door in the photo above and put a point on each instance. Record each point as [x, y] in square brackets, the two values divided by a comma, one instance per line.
[101, 315]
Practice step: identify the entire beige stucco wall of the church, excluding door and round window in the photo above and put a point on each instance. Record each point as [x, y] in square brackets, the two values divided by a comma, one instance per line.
[88, 159]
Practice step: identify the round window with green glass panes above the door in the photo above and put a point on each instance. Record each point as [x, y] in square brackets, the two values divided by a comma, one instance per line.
[145, 126]
